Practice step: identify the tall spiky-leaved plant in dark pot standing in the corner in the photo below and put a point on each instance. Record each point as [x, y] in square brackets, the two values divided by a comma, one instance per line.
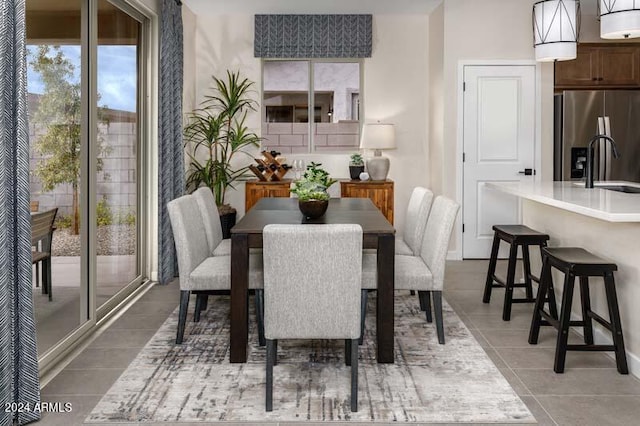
[215, 134]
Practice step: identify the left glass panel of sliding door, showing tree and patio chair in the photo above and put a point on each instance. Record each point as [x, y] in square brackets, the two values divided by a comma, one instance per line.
[56, 152]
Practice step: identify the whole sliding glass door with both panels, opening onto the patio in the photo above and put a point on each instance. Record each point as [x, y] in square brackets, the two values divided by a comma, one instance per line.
[85, 68]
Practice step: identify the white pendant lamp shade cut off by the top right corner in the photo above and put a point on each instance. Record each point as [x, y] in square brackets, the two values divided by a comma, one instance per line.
[619, 18]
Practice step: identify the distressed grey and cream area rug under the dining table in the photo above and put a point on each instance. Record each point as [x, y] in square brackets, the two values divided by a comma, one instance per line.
[428, 383]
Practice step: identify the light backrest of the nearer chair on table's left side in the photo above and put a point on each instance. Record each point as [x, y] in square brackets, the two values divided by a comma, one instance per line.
[189, 235]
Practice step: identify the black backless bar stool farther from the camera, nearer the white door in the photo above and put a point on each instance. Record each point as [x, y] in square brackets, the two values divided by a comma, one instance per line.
[515, 235]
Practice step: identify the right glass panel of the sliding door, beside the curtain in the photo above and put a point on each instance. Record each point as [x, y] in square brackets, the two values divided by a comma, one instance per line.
[118, 142]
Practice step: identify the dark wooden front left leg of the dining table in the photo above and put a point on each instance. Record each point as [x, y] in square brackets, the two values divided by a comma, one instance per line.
[239, 290]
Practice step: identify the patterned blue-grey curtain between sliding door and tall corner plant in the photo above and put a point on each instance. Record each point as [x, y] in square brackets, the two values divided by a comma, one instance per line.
[170, 148]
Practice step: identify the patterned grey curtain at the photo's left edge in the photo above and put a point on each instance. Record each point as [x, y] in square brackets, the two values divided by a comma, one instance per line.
[19, 381]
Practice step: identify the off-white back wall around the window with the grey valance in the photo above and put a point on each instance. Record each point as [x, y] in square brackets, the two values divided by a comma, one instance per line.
[395, 85]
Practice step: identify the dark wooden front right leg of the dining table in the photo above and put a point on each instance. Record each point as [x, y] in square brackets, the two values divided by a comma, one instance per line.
[385, 302]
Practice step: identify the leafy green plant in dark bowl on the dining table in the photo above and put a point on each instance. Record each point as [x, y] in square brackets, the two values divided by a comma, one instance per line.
[311, 189]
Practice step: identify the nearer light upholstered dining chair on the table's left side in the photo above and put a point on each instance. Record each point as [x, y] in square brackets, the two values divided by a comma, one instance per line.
[199, 271]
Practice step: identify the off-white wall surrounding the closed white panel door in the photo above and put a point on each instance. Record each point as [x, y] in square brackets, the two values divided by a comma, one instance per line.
[485, 30]
